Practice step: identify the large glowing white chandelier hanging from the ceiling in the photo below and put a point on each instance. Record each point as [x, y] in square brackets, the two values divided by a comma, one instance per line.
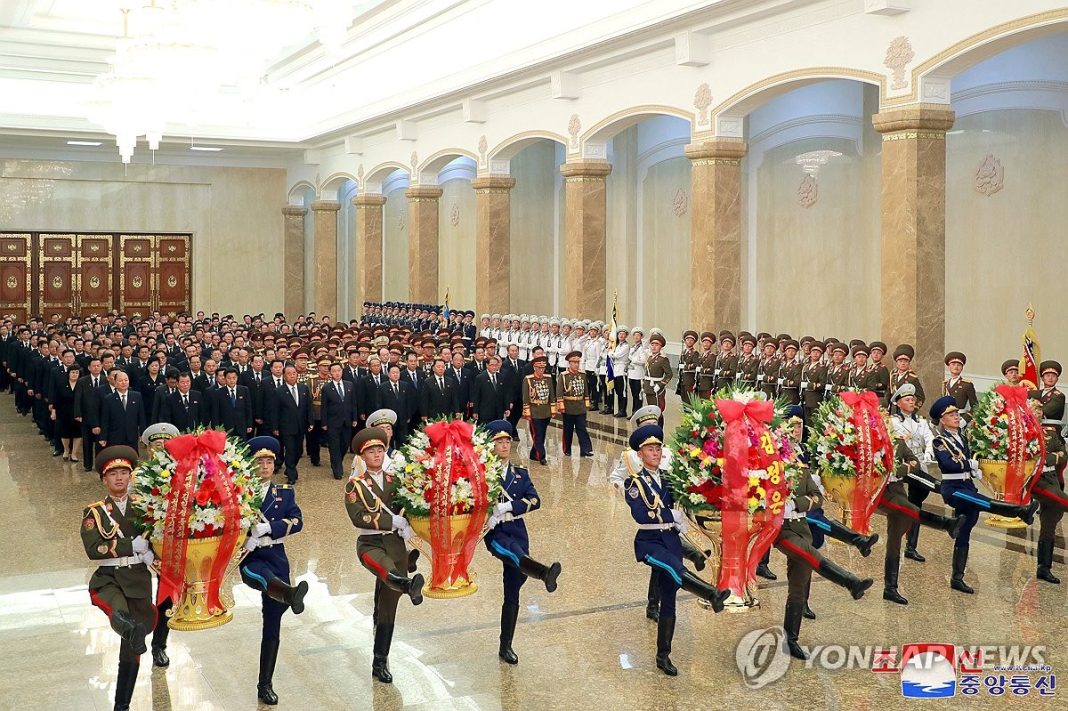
[175, 56]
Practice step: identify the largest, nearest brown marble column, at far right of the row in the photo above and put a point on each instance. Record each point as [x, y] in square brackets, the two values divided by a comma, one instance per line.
[914, 233]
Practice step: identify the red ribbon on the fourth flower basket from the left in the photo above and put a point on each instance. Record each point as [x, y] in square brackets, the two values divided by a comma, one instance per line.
[873, 445]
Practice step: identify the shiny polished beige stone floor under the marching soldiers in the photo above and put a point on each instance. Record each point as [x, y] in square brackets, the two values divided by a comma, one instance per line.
[589, 645]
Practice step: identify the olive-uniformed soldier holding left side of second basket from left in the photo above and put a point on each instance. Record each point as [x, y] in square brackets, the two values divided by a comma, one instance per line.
[381, 547]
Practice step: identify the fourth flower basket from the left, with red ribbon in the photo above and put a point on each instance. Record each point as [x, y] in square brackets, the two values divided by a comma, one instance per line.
[852, 449]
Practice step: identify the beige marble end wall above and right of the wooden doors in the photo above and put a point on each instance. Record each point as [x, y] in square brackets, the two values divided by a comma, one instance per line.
[232, 213]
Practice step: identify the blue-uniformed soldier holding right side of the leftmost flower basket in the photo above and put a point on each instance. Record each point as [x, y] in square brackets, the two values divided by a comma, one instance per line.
[266, 568]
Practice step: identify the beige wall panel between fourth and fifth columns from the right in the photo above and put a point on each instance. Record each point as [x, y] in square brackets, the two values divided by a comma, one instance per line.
[457, 244]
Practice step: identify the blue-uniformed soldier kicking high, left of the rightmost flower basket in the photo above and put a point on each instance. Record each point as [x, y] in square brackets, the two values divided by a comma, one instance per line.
[959, 470]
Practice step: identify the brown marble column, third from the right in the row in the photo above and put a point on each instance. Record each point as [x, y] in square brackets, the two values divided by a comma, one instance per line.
[585, 224]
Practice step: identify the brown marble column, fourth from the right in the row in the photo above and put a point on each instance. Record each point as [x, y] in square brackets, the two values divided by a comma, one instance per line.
[493, 260]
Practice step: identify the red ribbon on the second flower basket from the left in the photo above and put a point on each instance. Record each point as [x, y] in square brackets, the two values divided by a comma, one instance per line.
[456, 459]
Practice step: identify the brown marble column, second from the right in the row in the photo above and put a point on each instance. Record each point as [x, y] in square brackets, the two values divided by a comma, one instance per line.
[716, 234]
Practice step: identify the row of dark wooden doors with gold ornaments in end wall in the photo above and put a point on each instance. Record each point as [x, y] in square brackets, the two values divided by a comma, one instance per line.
[43, 274]
